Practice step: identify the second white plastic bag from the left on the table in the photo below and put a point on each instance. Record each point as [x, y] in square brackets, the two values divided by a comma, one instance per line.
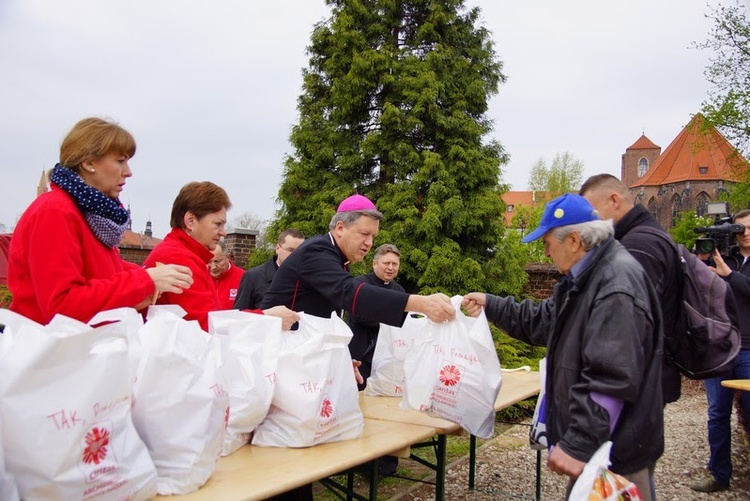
[181, 403]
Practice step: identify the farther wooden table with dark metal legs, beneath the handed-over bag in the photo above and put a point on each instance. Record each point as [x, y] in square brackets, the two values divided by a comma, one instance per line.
[516, 386]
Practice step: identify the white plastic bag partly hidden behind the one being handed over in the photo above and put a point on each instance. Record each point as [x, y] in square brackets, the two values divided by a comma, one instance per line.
[387, 375]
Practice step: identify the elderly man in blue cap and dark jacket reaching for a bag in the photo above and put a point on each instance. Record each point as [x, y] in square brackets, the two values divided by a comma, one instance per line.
[602, 329]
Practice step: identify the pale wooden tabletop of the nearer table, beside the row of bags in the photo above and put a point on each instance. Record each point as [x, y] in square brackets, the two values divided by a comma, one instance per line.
[255, 472]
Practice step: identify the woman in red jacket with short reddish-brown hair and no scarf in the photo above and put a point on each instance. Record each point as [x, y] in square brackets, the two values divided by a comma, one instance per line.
[198, 219]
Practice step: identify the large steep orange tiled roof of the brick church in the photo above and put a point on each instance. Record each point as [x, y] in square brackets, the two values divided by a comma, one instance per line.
[698, 153]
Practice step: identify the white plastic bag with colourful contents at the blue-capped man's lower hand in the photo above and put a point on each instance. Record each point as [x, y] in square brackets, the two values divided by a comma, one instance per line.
[598, 483]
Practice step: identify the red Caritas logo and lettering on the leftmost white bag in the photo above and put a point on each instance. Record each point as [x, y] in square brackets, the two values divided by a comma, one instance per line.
[97, 460]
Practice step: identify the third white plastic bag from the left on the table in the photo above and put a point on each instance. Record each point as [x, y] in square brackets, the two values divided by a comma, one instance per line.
[250, 351]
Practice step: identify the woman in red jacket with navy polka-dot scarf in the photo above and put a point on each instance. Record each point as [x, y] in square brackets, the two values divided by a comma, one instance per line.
[63, 254]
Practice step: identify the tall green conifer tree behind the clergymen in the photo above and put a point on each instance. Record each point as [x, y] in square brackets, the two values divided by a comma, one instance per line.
[394, 107]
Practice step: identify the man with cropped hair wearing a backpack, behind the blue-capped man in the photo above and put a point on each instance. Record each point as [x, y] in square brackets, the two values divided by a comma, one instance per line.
[612, 200]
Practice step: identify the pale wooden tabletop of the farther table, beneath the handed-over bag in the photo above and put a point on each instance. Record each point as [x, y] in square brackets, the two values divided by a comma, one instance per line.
[516, 386]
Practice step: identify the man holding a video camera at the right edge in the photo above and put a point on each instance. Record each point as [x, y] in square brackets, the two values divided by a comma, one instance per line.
[734, 267]
